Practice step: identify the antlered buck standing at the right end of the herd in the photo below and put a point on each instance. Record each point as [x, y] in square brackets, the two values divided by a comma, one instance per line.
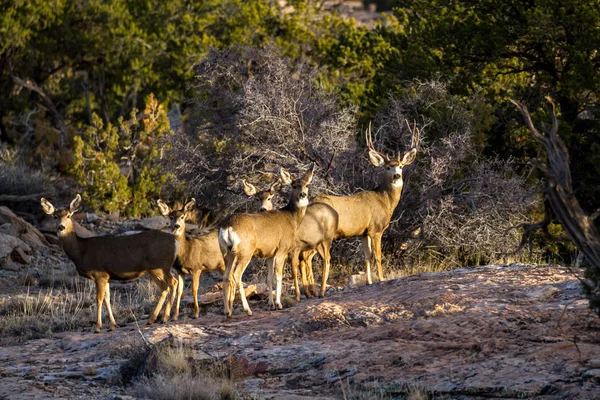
[368, 213]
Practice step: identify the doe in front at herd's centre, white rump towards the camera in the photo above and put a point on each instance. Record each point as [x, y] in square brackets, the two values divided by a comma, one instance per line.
[270, 235]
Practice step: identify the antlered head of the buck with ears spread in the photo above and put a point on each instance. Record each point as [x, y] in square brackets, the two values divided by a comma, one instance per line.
[393, 166]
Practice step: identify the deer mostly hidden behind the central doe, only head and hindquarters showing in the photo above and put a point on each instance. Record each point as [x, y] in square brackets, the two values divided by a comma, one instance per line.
[315, 234]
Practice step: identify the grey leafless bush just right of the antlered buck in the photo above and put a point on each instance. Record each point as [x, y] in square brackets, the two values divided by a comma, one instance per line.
[456, 202]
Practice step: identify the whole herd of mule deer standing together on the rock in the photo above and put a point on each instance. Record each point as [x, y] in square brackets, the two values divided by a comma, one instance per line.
[297, 231]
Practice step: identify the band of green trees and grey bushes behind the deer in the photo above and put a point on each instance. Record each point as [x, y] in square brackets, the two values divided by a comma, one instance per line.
[129, 101]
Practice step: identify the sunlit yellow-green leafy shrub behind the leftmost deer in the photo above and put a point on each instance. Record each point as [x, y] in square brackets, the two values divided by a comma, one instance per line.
[118, 165]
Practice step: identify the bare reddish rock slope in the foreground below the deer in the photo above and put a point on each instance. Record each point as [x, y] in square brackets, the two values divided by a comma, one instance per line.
[512, 331]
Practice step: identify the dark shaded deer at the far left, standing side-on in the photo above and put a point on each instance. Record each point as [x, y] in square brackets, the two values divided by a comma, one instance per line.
[125, 258]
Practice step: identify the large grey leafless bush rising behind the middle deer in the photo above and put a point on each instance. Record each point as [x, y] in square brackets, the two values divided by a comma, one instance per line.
[254, 111]
